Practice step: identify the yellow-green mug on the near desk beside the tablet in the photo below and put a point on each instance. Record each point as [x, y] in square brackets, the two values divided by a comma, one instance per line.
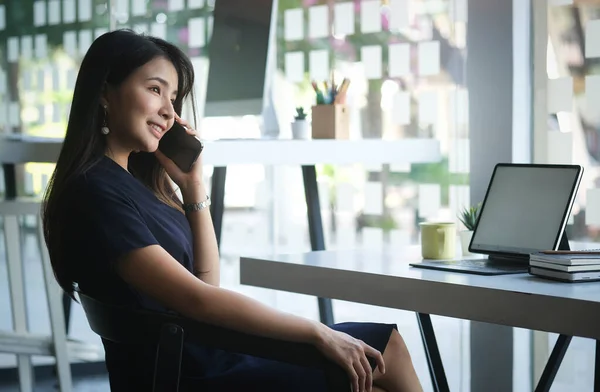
[438, 240]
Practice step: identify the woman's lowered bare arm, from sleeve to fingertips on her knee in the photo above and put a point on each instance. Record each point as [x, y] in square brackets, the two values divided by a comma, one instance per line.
[153, 271]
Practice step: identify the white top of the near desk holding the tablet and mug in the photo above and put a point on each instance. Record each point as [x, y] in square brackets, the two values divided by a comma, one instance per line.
[383, 277]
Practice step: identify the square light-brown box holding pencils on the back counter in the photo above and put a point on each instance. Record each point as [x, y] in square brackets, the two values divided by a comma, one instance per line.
[330, 122]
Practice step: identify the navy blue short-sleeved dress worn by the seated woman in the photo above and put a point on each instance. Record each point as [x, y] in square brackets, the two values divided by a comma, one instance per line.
[112, 213]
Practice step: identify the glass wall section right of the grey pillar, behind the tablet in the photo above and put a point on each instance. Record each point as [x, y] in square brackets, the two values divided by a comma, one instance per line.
[566, 130]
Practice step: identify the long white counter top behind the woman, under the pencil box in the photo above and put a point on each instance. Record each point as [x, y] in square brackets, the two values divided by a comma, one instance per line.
[260, 151]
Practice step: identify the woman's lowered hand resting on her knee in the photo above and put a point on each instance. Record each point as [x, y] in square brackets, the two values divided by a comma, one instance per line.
[351, 354]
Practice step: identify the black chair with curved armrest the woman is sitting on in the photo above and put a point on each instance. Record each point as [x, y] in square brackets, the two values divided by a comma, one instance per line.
[126, 325]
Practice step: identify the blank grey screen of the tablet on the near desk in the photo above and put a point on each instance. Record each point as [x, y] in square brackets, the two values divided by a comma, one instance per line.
[524, 208]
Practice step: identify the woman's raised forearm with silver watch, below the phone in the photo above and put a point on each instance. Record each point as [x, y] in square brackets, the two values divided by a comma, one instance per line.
[206, 251]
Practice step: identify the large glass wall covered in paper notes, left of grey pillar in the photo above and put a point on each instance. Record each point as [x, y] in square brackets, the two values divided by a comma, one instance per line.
[405, 60]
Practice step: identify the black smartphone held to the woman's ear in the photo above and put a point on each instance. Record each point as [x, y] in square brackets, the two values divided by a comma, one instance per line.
[181, 147]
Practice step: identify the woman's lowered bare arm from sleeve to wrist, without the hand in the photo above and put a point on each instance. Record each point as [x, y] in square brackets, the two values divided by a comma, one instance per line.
[153, 271]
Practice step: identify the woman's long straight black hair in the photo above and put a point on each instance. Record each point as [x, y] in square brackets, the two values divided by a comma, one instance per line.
[110, 59]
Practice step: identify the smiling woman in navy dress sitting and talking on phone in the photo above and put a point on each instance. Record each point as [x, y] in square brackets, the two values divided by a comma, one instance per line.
[114, 225]
